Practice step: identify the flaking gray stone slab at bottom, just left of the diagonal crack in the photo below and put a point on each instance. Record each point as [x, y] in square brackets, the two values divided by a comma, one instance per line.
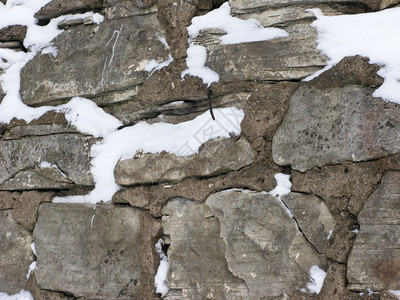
[263, 244]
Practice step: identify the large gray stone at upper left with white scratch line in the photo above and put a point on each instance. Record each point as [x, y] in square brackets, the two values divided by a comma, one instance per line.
[100, 52]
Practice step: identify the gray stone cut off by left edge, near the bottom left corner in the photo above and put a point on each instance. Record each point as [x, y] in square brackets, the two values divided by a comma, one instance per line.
[16, 254]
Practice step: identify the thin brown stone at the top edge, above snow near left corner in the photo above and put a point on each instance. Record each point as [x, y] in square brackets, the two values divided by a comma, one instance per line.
[56, 8]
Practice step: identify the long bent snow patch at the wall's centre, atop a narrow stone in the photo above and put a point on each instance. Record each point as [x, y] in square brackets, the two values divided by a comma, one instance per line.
[182, 139]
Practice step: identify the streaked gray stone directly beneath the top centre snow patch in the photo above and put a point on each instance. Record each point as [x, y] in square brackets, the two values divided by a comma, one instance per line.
[292, 58]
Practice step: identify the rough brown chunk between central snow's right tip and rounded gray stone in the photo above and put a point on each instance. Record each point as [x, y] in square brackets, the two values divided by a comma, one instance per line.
[265, 109]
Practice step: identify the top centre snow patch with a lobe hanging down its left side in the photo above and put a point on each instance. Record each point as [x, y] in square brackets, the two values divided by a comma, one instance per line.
[237, 31]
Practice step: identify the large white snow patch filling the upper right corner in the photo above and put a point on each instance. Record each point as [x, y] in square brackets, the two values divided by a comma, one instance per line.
[374, 35]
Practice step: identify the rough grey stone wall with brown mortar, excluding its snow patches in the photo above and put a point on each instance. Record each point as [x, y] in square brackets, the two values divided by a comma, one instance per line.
[225, 236]
